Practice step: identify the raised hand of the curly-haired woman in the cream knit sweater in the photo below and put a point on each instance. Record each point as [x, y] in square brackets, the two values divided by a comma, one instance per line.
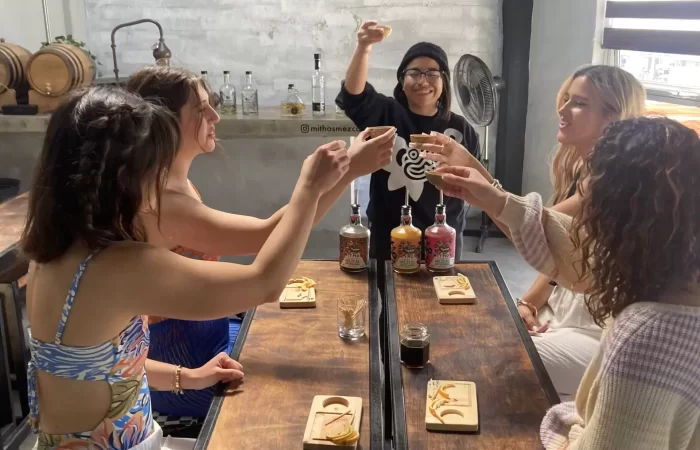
[469, 185]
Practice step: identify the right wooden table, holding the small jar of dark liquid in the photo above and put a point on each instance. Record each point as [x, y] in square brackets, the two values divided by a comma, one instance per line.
[486, 343]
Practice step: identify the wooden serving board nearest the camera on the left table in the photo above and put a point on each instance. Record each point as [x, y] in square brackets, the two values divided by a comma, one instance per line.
[327, 415]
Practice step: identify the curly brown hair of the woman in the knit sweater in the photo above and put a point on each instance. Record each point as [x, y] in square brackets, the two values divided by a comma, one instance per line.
[639, 223]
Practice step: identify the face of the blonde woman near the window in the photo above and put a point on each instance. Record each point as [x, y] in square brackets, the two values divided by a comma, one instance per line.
[582, 115]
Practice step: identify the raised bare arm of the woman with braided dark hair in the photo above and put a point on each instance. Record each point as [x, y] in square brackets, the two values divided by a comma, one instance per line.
[166, 284]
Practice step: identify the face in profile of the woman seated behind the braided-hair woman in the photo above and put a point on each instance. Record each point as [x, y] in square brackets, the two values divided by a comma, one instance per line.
[198, 120]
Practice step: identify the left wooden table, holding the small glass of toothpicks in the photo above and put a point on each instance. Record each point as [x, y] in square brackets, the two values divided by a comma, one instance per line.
[291, 355]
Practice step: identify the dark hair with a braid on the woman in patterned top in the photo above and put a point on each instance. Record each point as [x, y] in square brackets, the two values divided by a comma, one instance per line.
[105, 150]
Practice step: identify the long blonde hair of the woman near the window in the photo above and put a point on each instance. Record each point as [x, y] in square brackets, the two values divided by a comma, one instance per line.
[623, 97]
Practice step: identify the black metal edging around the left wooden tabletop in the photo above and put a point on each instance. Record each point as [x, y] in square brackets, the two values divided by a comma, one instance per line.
[376, 379]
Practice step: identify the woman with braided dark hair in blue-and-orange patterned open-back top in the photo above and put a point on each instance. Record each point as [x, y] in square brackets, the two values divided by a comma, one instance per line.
[93, 279]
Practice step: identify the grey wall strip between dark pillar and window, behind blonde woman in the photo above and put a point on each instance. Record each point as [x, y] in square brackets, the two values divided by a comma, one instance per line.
[562, 40]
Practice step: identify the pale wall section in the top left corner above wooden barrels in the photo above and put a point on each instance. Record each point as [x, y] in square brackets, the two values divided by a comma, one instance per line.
[22, 22]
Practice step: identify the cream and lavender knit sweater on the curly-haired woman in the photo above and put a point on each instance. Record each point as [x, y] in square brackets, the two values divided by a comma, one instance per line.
[642, 390]
